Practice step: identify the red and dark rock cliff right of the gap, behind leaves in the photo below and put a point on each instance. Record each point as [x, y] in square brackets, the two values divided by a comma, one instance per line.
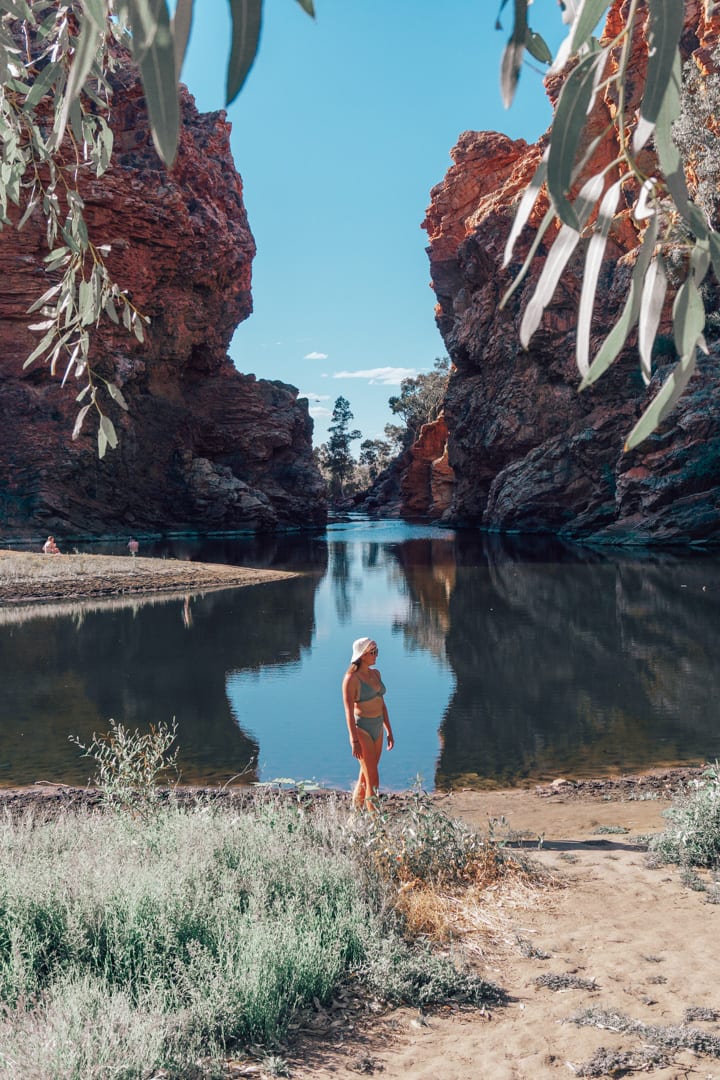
[528, 452]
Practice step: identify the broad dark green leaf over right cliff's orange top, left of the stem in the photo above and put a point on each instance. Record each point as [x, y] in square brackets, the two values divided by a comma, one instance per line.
[573, 107]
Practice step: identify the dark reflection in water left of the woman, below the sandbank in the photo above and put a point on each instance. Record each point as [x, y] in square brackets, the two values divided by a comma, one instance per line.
[167, 666]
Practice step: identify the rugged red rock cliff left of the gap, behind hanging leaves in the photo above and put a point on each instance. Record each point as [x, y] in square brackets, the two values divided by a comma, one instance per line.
[202, 448]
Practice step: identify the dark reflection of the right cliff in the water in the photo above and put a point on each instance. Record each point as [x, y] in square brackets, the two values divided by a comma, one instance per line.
[583, 666]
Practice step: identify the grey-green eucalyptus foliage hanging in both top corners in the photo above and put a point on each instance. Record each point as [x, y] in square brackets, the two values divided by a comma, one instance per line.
[56, 98]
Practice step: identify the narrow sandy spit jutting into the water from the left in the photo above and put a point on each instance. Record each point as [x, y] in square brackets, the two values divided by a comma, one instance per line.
[38, 579]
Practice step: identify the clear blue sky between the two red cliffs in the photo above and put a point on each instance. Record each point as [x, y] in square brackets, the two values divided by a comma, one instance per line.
[345, 125]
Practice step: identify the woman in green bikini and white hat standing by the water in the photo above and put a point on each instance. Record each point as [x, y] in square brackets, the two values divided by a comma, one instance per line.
[363, 695]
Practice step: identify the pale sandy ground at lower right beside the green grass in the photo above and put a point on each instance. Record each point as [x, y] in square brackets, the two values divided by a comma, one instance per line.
[647, 941]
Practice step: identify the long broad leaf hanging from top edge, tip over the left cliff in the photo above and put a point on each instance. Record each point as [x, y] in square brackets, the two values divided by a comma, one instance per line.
[157, 65]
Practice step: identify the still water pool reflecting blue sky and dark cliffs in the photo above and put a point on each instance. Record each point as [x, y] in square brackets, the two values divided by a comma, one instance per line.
[507, 661]
